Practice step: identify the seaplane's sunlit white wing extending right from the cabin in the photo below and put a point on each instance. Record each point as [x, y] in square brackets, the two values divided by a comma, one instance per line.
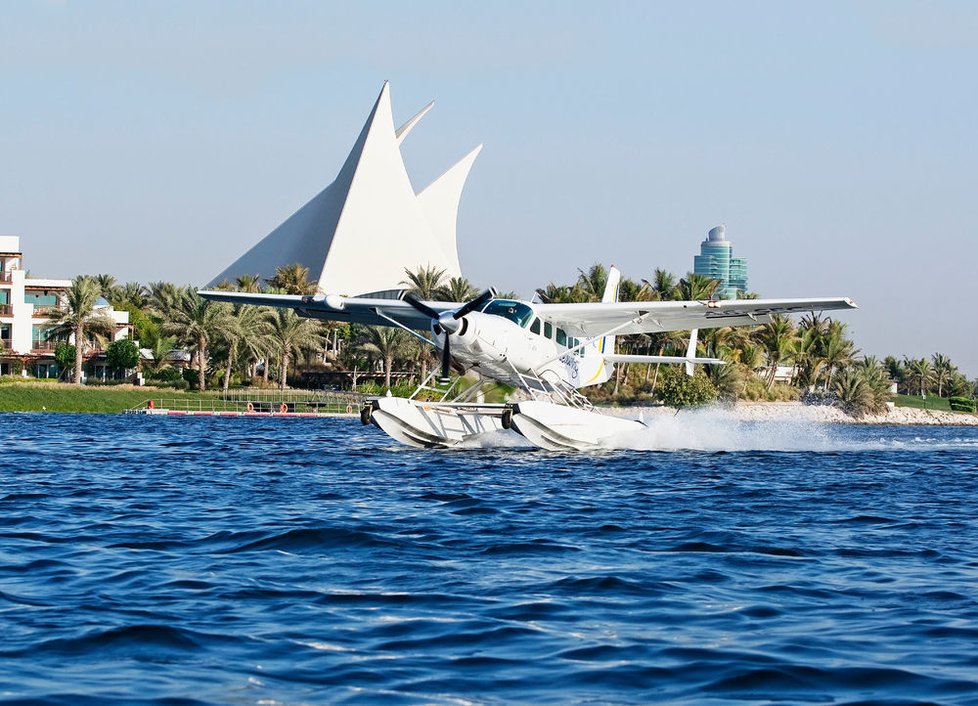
[594, 319]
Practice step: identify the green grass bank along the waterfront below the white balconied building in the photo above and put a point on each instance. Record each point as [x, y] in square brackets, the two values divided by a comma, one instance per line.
[54, 397]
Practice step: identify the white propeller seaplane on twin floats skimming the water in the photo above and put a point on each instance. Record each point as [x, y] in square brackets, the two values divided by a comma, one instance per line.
[548, 352]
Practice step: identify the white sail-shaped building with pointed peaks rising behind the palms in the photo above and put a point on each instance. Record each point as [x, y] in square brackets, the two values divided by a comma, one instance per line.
[359, 234]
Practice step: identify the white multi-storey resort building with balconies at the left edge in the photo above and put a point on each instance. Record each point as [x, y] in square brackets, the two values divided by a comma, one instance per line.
[29, 308]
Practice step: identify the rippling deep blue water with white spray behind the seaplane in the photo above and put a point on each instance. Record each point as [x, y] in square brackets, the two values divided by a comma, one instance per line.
[248, 561]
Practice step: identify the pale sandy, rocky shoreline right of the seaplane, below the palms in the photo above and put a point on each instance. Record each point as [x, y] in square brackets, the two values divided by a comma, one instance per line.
[797, 412]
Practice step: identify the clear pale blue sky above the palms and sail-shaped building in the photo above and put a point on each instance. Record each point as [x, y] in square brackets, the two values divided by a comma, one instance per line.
[836, 140]
